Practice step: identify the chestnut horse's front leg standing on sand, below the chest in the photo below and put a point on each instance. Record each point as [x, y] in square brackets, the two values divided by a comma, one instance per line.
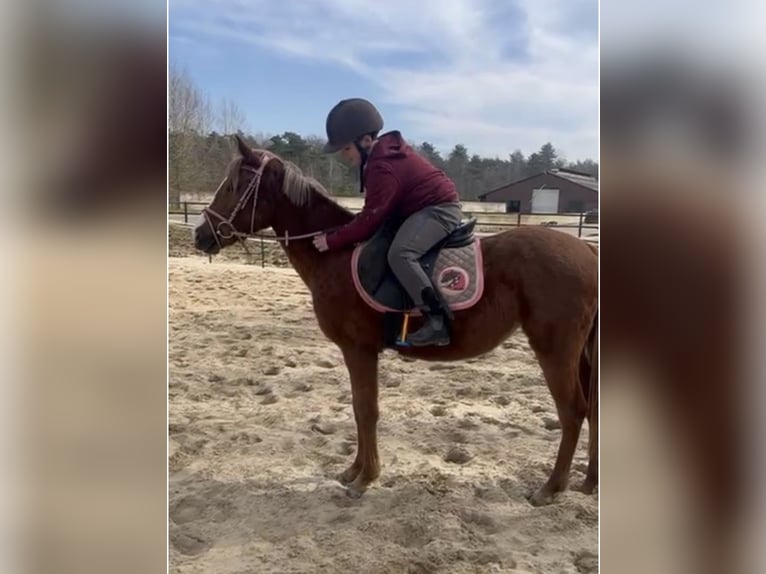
[362, 367]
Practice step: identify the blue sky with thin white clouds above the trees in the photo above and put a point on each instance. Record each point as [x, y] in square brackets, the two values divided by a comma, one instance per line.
[494, 75]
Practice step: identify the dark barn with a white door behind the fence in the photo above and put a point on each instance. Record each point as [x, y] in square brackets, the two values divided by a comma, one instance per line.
[552, 191]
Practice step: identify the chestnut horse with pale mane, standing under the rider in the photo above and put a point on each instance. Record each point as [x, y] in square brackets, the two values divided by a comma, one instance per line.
[541, 280]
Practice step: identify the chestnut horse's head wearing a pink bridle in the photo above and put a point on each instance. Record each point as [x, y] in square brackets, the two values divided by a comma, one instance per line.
[242, 204]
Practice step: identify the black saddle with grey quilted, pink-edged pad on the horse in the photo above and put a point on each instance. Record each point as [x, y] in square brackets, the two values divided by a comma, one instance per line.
[454, 266]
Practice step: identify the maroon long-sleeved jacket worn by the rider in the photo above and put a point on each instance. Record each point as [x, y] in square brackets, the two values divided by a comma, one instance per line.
[398, 182]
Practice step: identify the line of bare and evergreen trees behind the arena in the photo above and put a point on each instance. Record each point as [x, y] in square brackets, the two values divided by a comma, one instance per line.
[200, 147]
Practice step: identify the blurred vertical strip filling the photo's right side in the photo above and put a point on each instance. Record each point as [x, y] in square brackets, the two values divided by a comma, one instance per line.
[682, 310]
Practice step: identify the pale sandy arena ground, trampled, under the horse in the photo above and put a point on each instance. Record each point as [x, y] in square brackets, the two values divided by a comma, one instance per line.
[261, 422]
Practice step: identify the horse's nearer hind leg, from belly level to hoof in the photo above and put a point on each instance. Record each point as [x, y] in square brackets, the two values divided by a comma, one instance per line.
[560, 370]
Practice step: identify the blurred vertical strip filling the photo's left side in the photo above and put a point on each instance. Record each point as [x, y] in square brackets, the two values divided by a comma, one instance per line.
[83, 227]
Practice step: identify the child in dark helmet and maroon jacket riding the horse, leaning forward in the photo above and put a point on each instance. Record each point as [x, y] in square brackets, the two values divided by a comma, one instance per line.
[398, 183]
